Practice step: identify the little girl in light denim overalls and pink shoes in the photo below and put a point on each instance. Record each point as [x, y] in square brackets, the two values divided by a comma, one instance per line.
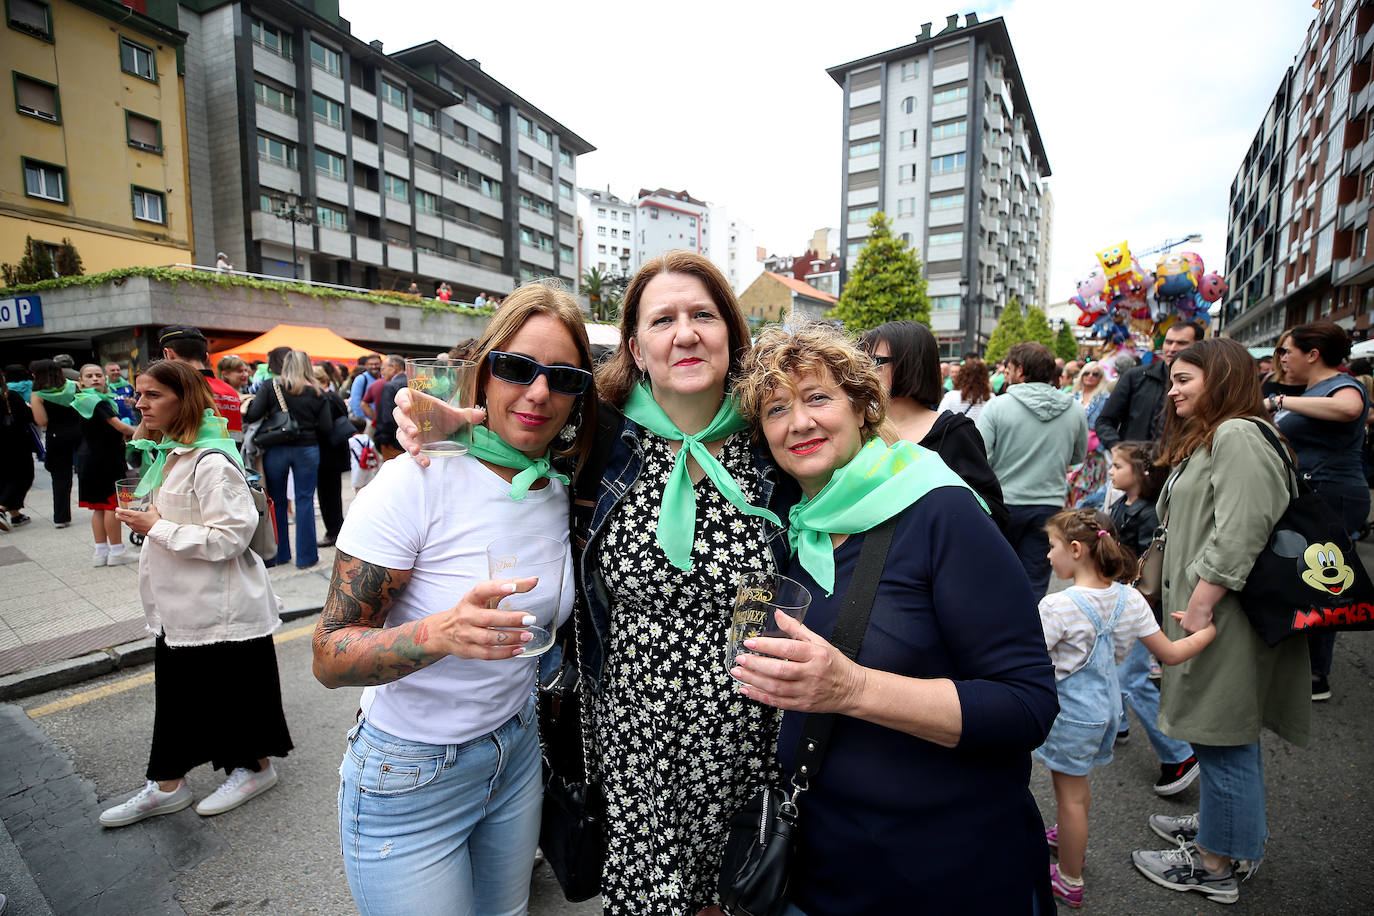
[1089, 628]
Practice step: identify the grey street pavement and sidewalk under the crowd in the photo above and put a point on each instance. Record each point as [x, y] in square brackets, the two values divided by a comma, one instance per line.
[68, 753]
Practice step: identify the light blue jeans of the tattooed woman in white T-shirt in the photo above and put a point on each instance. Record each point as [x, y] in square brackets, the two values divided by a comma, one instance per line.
[442, 829]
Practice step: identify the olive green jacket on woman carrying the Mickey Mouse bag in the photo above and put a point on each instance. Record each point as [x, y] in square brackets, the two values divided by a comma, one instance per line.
[1222, 505]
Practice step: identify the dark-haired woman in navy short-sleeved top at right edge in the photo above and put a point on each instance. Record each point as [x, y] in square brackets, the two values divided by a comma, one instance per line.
[1327, 428]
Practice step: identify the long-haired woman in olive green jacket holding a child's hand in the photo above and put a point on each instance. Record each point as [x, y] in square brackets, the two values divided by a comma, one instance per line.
[1228, 490]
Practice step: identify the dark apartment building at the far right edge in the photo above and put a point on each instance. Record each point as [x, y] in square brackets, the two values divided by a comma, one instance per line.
[1311, 248]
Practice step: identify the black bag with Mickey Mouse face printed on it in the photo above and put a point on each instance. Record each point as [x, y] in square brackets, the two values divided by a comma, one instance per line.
[1309, 577]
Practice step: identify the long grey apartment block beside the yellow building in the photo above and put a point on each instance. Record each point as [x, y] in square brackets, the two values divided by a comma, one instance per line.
[403, 167]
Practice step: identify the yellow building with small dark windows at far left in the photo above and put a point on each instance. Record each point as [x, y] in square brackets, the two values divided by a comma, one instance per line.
[94, 144]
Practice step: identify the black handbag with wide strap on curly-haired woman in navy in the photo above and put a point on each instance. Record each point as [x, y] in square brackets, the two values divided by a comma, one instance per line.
[756, 866]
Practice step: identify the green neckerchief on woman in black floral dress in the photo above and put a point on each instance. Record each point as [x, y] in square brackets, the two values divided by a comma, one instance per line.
[678, 514]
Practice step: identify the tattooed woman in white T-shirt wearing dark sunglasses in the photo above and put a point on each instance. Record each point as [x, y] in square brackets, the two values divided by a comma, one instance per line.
[442, 794]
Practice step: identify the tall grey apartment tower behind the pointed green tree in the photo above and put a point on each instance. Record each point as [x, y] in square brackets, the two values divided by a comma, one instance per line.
[941, 137]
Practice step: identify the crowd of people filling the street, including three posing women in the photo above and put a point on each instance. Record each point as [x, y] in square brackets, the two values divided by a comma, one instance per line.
[685, 458]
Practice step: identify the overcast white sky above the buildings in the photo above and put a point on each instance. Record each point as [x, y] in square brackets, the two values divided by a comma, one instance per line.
[1147, 109]
